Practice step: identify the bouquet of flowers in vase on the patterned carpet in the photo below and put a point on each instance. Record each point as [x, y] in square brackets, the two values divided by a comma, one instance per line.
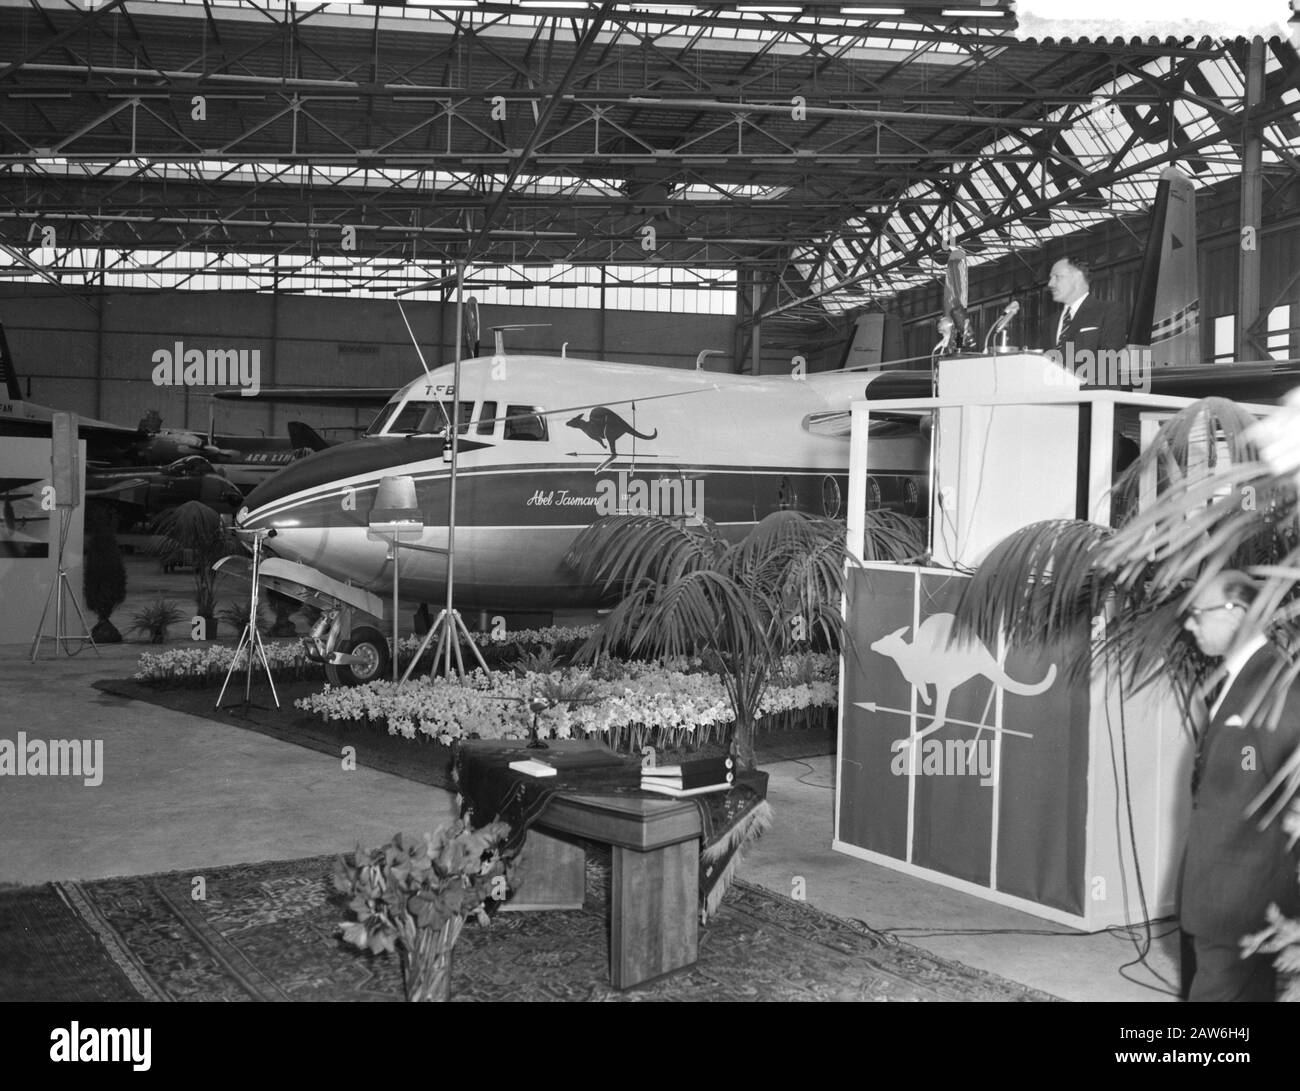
[415, 897]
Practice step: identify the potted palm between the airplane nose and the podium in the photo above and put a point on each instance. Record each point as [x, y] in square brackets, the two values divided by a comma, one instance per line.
[688, 591]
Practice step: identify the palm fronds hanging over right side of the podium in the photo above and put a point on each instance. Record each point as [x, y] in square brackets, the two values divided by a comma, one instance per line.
[1207, 504]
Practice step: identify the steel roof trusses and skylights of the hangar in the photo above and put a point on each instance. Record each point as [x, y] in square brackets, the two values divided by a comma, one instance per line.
[366, 149]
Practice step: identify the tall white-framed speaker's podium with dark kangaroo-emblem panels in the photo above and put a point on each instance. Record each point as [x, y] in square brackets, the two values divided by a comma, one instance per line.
[985, 769]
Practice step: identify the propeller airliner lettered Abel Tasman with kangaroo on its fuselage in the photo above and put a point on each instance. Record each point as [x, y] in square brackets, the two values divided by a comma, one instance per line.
[545, 447]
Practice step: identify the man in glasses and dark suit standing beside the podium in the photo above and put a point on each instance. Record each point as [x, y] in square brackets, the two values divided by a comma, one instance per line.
[1233, 871]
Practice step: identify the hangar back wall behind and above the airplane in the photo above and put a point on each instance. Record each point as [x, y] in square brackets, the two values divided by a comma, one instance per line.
[94, 354]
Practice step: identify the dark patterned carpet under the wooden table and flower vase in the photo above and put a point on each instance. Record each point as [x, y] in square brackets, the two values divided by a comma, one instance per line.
[267, 932]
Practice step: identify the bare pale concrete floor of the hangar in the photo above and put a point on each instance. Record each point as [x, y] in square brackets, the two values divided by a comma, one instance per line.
[185, 793]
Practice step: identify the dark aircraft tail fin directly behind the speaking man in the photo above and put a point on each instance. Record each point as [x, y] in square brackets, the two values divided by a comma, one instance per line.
[1167, 313]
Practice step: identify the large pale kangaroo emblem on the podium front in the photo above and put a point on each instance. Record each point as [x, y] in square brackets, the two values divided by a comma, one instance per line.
[933, 660]
